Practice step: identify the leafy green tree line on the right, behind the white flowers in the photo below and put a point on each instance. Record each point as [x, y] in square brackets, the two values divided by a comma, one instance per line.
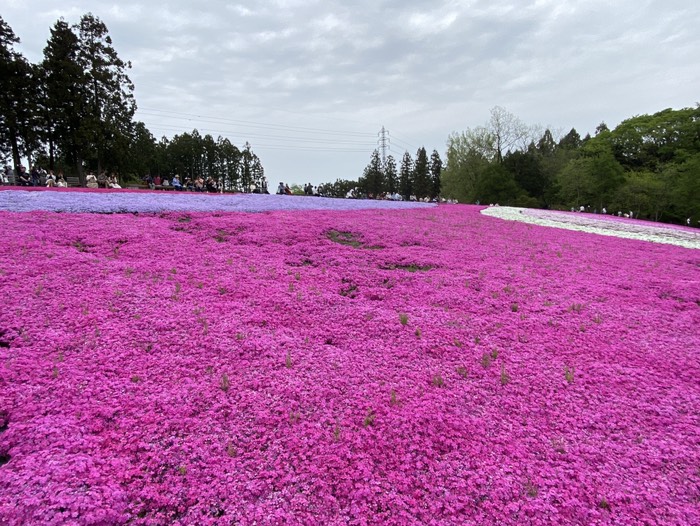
[648, 164]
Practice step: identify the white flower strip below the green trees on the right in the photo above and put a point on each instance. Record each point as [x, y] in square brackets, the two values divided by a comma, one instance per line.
[605, 225]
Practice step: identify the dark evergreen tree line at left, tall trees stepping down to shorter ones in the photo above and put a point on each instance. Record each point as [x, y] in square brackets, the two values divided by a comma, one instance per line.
[74, 112]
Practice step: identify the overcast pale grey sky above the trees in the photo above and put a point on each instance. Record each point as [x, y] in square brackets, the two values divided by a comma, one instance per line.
[310, 83]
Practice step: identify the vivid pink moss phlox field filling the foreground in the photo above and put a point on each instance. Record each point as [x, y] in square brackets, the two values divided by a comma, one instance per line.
[425, 366]
